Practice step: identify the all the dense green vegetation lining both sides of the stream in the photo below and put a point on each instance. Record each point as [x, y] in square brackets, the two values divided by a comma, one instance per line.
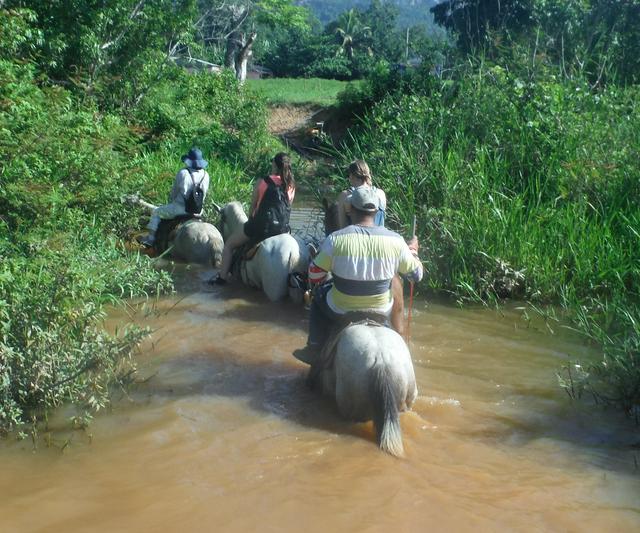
[516, 143]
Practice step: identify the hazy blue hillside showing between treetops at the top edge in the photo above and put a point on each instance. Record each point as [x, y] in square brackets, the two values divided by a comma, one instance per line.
[412, 12]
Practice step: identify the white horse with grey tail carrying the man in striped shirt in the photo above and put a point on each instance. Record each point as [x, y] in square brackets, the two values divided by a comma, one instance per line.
[371, 377]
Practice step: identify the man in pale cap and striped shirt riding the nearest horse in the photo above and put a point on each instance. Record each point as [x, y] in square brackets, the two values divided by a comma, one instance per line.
[362, 259]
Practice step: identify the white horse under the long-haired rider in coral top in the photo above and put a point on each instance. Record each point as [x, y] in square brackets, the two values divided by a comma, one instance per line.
[274, 260]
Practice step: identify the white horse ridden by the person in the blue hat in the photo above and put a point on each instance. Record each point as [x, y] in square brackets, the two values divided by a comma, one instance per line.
[193, 241]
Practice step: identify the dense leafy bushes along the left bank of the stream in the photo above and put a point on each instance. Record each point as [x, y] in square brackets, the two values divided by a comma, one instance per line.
[69, 151]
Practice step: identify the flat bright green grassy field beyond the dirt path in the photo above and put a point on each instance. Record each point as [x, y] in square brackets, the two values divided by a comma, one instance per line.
[298, 91]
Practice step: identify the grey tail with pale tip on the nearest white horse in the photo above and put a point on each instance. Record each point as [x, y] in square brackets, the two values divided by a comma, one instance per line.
[385, 403]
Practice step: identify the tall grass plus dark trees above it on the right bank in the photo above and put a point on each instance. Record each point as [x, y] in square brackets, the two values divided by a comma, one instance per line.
[521, 163]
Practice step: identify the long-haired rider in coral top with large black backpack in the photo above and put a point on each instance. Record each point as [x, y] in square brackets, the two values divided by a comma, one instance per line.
[270, 210]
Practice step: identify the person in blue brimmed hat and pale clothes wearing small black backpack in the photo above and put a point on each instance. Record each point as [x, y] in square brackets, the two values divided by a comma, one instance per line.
[187, 195]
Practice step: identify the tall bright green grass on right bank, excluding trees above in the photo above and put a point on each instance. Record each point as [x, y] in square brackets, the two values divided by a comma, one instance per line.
[523, 189]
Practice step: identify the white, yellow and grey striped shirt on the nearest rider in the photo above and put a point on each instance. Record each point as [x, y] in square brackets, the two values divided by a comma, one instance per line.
[362, 261]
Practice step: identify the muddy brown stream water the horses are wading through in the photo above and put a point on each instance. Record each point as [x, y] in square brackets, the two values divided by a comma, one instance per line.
[222, 435]
